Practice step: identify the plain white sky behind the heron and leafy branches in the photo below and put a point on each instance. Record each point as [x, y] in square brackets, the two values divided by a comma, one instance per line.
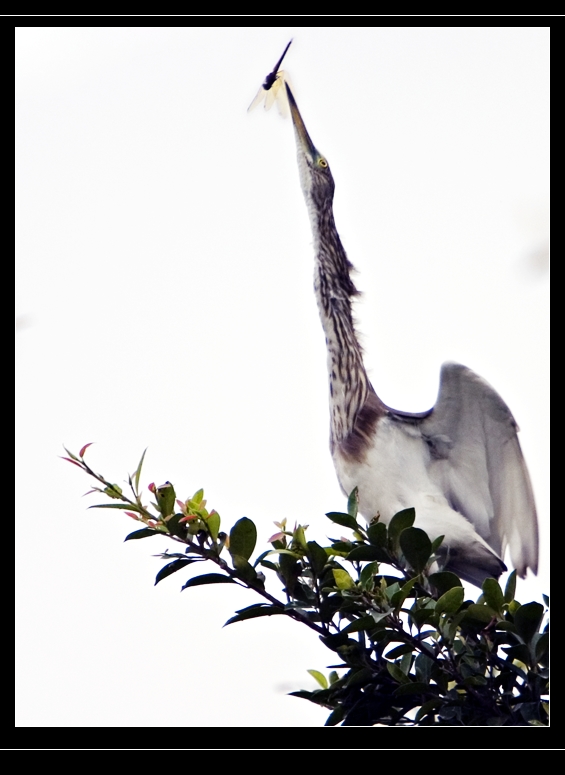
[165, 294]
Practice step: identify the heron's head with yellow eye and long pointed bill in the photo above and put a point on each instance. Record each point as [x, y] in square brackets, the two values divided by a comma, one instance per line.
[315, 175]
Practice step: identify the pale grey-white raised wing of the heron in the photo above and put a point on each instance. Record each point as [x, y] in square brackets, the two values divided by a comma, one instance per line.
[479, 464]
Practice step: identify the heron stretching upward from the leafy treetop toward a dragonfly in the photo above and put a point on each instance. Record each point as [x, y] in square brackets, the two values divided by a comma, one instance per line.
[458, 464]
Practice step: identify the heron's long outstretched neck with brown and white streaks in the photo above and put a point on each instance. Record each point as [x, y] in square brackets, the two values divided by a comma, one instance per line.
[349, 384]
